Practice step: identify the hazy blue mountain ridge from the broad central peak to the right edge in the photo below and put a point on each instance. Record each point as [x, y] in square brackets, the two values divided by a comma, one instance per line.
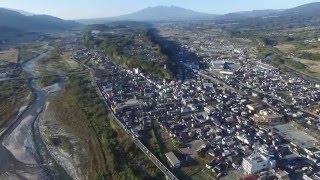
[174, 13]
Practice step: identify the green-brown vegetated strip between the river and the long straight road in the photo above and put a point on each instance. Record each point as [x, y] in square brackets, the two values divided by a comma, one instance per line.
[110, 152]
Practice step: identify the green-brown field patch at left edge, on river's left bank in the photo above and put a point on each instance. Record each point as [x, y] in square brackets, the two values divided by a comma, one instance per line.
[13, 95]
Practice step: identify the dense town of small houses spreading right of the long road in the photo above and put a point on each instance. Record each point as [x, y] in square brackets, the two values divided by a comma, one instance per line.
[251, 119]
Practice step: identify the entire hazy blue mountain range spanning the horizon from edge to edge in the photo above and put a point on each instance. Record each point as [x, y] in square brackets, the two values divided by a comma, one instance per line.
[308, 14]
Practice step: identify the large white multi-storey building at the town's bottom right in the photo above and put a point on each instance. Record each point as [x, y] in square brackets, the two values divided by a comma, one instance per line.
[257, 162]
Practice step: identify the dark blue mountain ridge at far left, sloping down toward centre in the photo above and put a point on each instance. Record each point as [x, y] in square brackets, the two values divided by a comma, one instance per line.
[16, 20]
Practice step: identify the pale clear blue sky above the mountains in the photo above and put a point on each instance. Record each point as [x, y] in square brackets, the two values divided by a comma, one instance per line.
[77, 9]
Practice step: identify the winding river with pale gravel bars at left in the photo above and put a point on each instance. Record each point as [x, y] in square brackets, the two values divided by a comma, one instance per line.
[23, 154]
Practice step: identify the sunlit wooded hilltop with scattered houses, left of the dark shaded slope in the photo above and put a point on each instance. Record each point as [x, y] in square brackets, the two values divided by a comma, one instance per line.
[117, 46]
